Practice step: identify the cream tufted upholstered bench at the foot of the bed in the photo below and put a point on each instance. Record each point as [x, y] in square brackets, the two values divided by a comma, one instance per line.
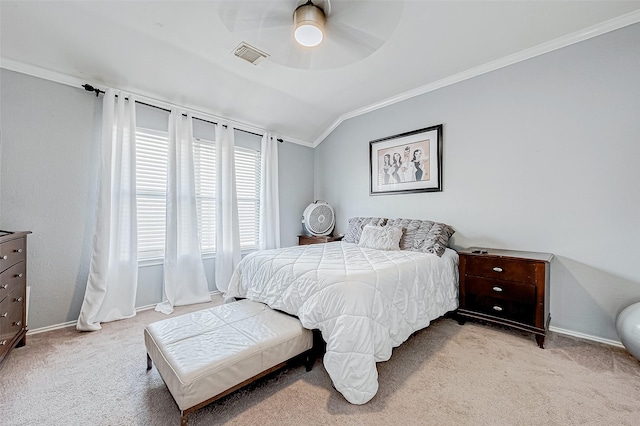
[205, 355]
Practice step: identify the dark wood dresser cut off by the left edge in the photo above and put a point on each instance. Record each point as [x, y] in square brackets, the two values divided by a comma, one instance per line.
[13, 290]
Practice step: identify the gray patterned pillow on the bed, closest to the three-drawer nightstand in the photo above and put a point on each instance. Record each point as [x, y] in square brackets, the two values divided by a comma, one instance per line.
[423, 235]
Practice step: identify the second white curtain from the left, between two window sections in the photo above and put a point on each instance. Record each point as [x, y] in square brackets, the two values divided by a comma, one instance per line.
[185, 282]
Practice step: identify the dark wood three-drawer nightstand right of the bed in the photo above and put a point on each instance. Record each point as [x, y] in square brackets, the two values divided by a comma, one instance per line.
[506, 287]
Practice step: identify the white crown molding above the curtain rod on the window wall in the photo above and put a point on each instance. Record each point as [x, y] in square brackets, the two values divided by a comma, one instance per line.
[76, 82]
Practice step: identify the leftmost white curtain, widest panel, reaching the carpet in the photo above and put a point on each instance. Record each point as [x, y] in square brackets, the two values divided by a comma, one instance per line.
[113, 273]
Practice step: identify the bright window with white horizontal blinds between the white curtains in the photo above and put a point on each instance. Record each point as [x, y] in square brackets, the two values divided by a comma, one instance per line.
[151, 175]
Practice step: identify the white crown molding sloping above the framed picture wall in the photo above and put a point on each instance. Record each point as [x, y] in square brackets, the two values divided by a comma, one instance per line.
[576, 37]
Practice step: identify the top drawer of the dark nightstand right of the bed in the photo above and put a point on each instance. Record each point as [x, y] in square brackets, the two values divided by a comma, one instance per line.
[501, 269]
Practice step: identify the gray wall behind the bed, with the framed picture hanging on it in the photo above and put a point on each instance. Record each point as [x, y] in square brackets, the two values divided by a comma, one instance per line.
[541, 155]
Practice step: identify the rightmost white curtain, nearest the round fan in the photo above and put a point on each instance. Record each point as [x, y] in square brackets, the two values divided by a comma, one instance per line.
[269, 237]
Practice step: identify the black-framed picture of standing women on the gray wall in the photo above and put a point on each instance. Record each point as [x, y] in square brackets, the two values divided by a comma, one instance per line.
[408, 162]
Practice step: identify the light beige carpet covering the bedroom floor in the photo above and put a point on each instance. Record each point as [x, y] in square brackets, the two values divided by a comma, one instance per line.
[446, 374]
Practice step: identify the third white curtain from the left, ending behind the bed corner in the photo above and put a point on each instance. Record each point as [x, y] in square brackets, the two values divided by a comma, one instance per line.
[227, 224]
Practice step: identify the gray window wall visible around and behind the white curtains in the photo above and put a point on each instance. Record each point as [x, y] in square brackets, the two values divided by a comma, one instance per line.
[48, 183]
